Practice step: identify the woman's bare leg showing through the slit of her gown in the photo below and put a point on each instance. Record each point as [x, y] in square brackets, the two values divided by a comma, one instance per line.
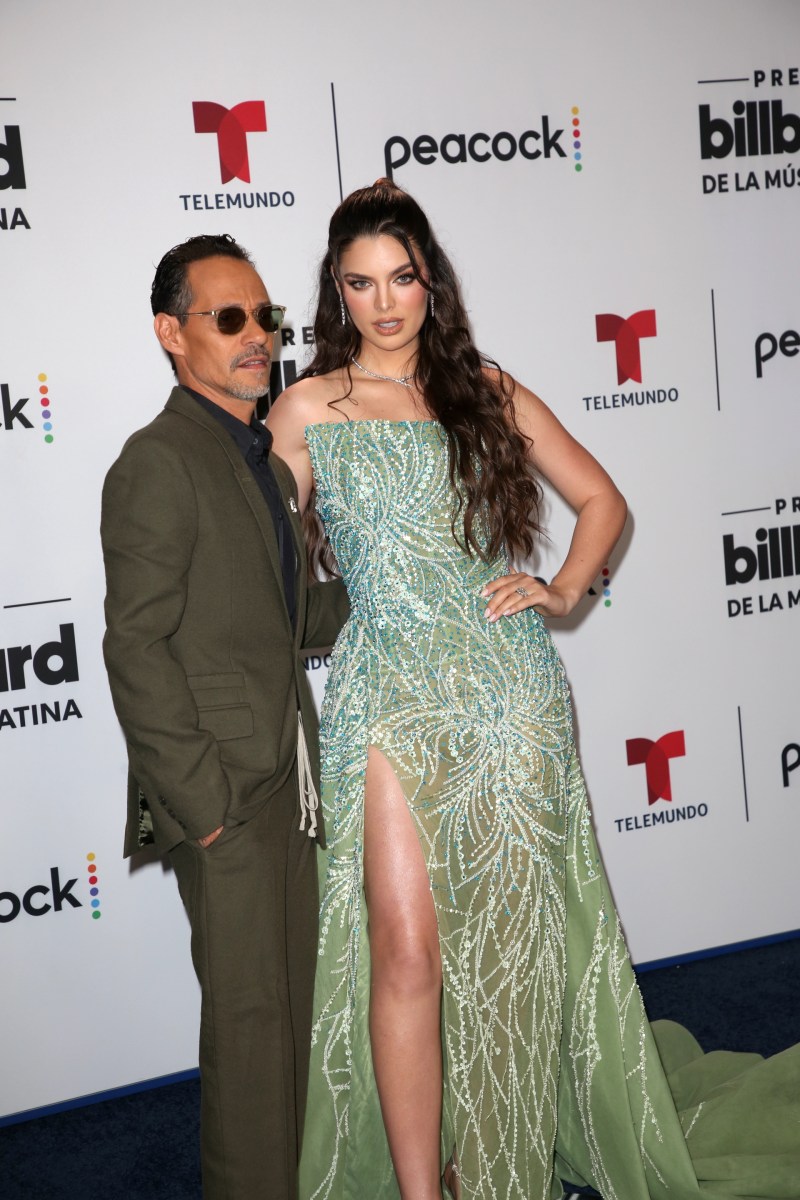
[406, 999]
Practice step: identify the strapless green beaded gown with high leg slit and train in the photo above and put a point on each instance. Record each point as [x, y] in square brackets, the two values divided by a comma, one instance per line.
[551, 1070]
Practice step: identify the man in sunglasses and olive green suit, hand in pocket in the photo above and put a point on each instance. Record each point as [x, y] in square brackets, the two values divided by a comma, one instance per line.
[208, 609]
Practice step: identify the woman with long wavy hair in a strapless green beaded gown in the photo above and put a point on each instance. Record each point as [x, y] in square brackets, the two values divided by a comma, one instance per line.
[478, 1025]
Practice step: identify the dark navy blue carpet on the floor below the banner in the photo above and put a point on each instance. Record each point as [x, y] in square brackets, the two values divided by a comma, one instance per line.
[145, 1147]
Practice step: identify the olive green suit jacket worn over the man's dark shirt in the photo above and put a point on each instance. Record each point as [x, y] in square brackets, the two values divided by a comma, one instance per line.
[204, 667]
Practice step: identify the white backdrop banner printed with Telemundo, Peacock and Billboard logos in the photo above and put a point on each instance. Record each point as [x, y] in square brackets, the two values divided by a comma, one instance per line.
[618, 185]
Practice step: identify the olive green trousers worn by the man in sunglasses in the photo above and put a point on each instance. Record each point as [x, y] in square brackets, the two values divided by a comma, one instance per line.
[252, 903]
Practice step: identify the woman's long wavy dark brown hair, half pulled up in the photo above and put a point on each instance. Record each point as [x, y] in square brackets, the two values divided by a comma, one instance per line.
[497, 494]
